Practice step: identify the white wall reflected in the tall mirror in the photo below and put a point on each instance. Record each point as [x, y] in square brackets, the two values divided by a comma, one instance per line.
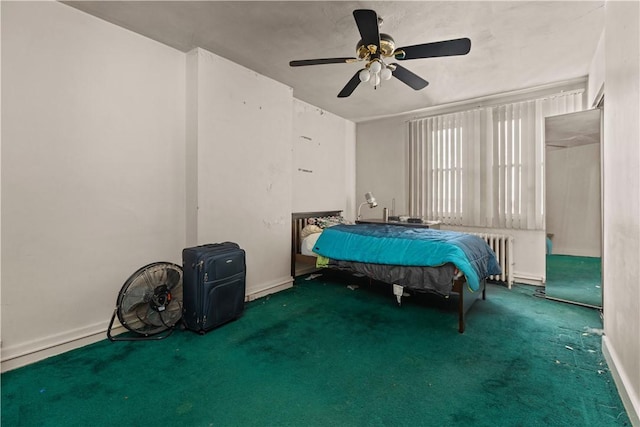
[573, 211]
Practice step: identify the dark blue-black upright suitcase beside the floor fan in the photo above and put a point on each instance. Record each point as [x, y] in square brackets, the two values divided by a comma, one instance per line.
[213, 285]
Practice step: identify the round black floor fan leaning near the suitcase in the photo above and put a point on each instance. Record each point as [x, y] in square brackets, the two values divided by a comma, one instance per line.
[149, 303]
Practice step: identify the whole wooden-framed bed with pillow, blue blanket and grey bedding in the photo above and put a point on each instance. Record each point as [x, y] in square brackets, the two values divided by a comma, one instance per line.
[410, 259]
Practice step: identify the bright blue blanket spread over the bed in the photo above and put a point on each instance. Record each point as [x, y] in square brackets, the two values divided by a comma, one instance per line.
[397, 245]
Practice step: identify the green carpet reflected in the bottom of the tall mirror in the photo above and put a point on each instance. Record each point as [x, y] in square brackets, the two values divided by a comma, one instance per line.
[575, 278]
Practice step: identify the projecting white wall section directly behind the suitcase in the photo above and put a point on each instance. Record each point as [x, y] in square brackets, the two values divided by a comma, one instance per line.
[243, 163]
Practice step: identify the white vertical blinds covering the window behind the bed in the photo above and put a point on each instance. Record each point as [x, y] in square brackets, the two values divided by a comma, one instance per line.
[484, 167]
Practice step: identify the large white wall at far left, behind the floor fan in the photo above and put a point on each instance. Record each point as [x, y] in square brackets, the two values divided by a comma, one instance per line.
[92, 169]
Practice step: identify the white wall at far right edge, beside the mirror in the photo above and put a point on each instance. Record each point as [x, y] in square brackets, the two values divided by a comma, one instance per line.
[621, 154]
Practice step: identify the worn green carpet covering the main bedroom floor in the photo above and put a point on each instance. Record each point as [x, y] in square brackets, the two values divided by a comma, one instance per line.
[321, 354]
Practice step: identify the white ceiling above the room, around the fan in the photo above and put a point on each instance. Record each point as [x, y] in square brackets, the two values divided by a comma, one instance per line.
[514, 44]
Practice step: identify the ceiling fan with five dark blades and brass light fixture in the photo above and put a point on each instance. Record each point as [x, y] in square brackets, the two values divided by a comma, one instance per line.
[375, 47]
